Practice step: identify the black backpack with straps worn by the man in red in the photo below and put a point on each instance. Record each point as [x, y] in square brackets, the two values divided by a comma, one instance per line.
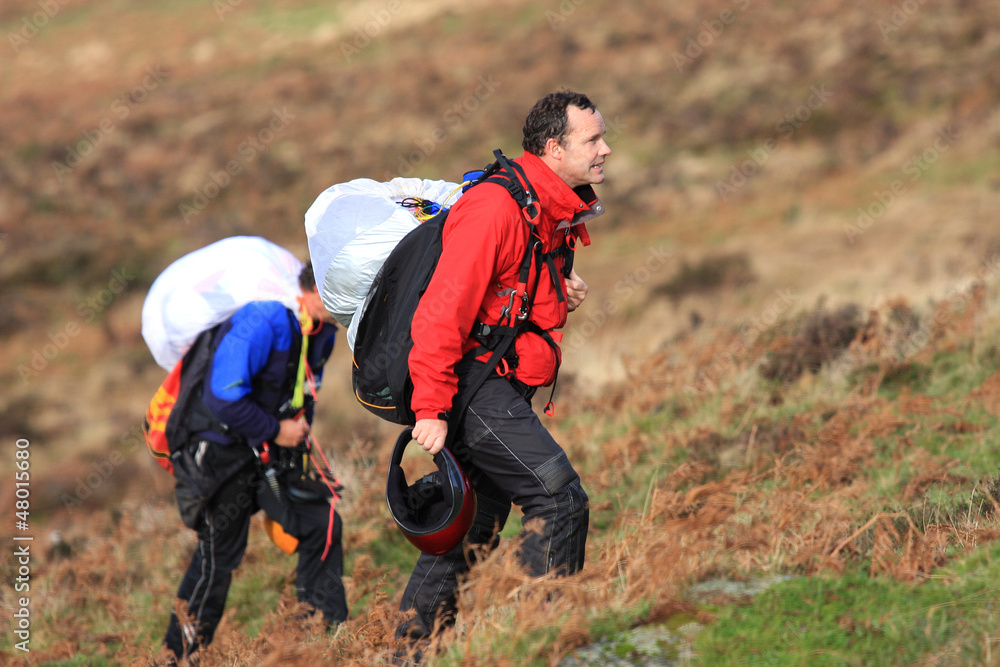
[381, 373]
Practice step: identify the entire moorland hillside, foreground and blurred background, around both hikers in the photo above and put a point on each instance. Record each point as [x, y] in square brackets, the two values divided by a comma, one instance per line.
[786, 364]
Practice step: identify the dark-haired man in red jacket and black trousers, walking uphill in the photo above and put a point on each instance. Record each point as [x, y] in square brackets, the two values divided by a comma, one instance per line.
[500, 442]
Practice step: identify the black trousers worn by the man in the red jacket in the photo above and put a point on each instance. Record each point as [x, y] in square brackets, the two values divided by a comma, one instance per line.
[510, 458]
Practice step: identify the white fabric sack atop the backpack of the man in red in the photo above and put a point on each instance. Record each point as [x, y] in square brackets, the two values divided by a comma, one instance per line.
[352, 227]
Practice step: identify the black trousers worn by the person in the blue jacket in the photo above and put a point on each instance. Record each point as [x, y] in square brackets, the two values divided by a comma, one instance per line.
[222, 541]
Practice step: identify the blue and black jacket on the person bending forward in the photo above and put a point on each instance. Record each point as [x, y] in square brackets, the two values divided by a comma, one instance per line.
[249, 386]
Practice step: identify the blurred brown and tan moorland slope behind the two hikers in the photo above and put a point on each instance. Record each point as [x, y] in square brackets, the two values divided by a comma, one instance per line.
[767, 155]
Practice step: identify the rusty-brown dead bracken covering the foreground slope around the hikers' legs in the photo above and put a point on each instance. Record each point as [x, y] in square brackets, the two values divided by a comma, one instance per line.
[772, 498]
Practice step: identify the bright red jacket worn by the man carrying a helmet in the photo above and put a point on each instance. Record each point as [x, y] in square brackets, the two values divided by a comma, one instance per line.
[483, 244]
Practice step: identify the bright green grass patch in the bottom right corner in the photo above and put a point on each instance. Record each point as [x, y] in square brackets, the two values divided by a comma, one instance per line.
[855, 619]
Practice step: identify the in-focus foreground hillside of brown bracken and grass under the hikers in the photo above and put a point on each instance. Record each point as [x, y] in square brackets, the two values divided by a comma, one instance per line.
[863, 471]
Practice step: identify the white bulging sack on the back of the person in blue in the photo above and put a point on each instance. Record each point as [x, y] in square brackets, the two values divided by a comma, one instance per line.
[203, 288]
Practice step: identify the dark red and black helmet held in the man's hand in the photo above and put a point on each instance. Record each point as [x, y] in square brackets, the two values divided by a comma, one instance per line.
[436, 511]
